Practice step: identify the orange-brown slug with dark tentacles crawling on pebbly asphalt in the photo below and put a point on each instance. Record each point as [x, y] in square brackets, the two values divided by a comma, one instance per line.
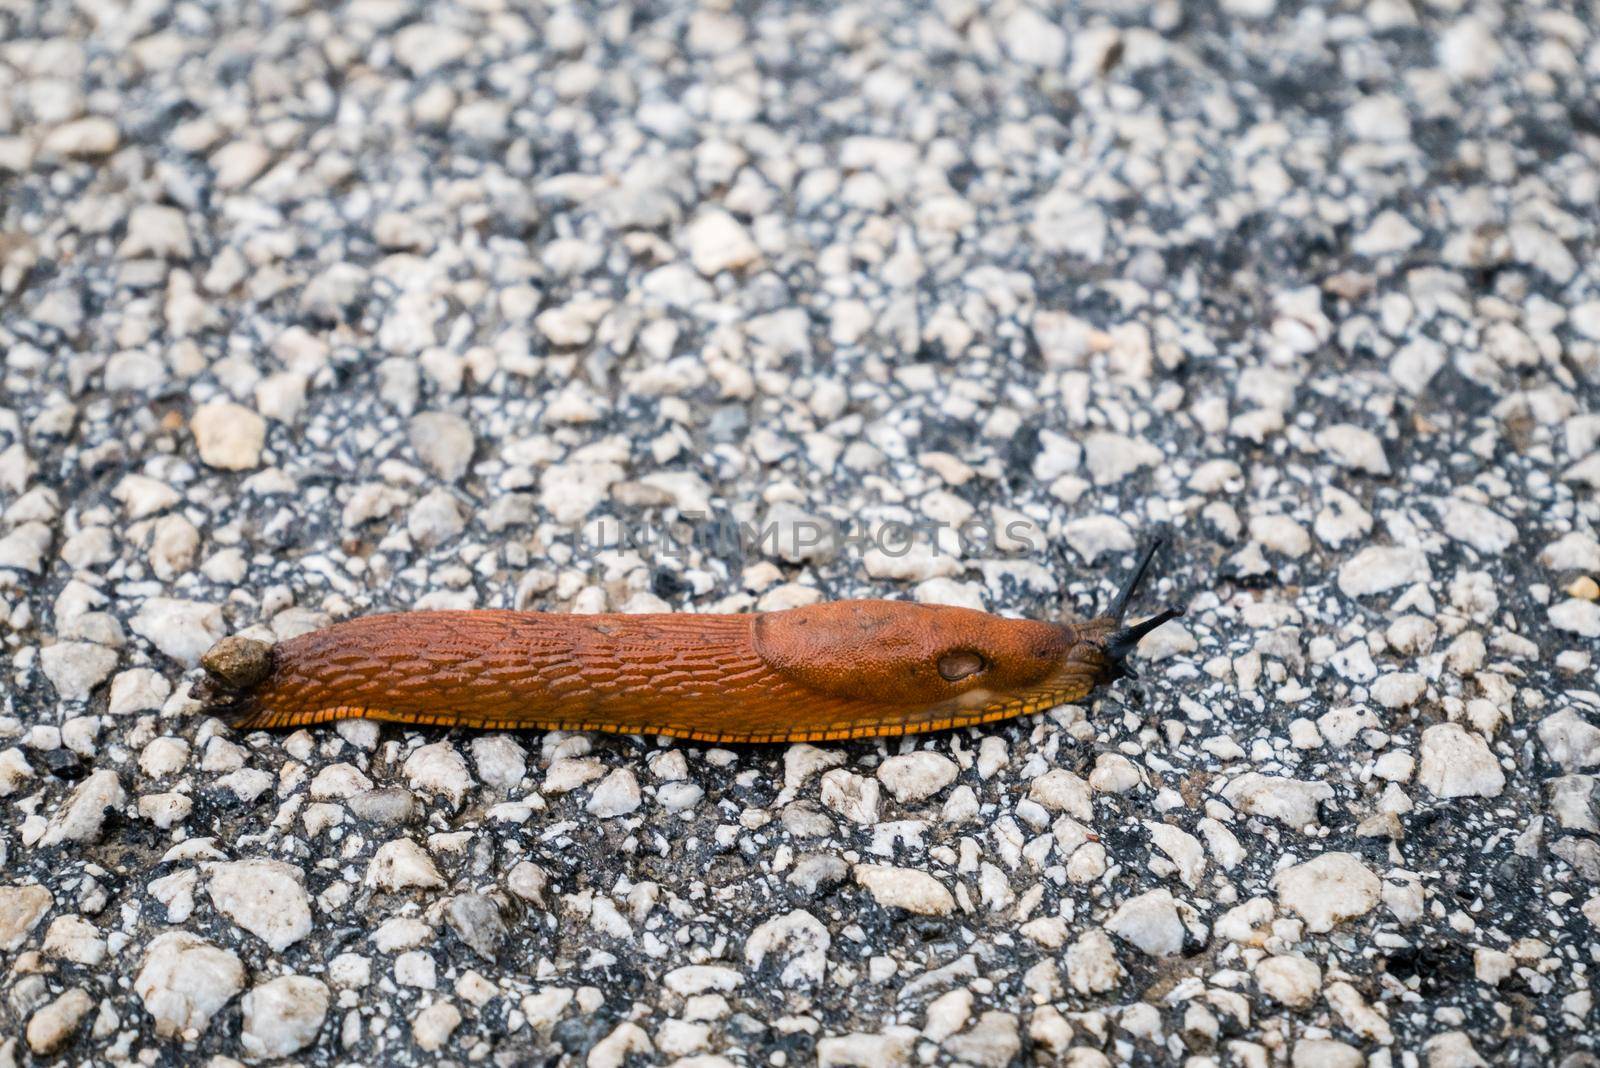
[825, 672]
